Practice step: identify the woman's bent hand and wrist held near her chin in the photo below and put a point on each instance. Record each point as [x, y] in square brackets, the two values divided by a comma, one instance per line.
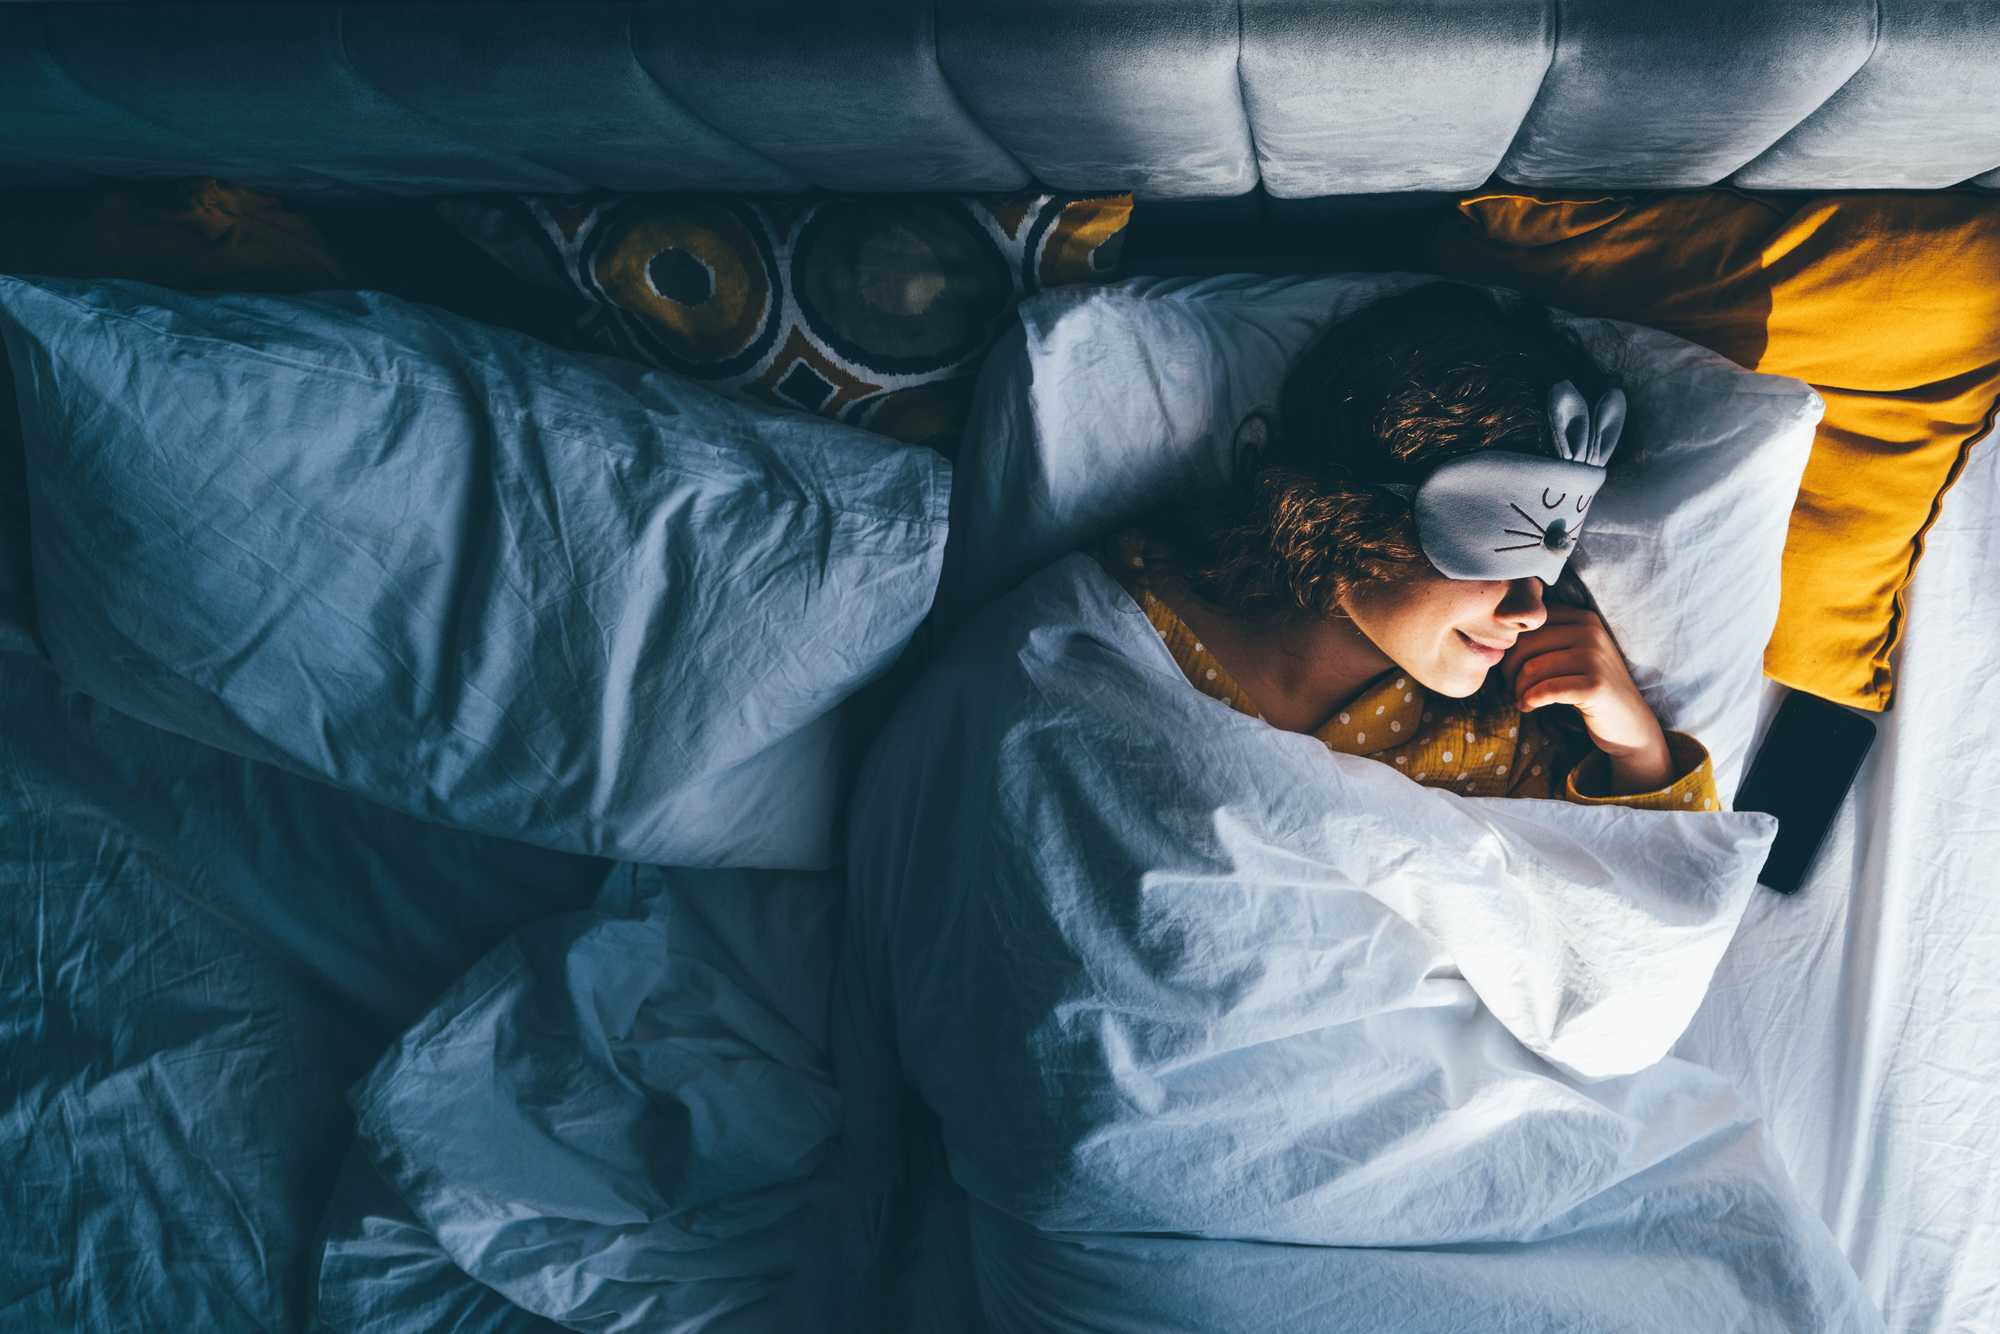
[1571, 659]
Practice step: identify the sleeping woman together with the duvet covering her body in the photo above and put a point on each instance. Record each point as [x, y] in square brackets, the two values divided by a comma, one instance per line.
[1245, 1005]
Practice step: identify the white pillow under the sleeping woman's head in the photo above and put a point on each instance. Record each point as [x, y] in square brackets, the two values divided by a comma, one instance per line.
[1109, 399]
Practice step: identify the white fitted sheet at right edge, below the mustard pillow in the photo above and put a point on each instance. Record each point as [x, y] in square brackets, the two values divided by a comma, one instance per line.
[1863, 1015]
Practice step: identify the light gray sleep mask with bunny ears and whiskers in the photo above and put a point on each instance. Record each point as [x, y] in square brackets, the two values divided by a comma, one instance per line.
[1501, 515]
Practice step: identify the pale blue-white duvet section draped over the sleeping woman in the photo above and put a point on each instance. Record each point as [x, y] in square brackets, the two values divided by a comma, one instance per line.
[1183, 989]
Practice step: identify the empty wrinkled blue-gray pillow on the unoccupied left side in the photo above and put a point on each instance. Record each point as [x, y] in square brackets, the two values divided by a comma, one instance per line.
[473, 577]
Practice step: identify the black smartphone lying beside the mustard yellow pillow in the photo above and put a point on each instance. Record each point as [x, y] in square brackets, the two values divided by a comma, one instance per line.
[1801, 775]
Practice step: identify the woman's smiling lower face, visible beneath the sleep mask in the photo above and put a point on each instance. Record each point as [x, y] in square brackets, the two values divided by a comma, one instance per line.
[1447, 633]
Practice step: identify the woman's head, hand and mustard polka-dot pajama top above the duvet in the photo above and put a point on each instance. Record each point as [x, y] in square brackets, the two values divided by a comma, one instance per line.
[1307, 601]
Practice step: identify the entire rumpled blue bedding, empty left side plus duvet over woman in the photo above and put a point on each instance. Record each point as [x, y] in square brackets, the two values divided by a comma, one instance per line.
[1227, 1033]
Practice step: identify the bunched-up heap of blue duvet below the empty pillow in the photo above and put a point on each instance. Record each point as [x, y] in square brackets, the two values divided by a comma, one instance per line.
[621, 1119]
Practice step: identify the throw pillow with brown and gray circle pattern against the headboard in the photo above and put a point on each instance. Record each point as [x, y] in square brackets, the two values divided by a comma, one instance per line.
[869, 309]
